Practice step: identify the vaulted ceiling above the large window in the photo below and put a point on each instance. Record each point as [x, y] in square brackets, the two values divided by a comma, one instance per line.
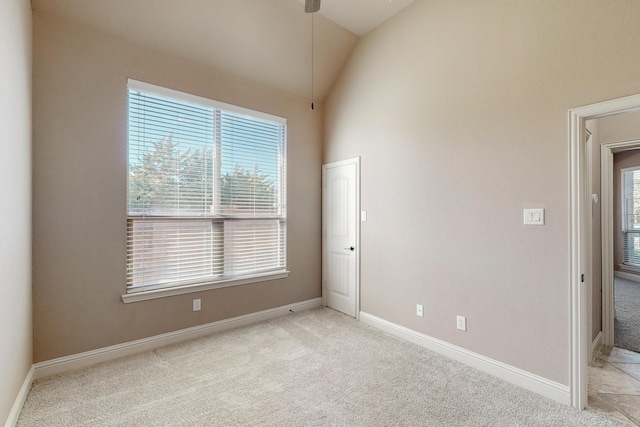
[263, 41]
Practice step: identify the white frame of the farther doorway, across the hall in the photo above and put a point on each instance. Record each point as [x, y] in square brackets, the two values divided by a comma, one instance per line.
[608, 313]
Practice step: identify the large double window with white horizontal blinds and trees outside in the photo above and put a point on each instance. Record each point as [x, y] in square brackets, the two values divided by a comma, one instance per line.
[206, 200]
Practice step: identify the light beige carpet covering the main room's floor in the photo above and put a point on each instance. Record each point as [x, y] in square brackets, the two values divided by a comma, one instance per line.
[313, 368]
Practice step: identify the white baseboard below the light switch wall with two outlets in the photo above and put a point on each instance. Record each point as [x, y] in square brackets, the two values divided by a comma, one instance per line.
[551, 389]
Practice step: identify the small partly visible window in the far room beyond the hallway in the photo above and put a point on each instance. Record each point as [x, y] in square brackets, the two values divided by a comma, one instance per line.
[631, 216]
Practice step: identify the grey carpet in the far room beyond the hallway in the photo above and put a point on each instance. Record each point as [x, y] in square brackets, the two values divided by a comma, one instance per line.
[627, 322]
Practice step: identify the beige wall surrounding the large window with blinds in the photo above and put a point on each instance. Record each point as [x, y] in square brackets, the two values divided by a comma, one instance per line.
[80, 119]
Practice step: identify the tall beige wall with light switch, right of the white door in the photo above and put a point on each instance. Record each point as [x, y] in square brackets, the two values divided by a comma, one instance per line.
[459, 111]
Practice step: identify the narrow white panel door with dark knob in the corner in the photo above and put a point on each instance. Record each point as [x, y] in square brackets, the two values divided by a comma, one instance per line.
[340, 257]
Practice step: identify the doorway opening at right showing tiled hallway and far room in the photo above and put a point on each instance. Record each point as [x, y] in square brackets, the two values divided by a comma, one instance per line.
[614, 360]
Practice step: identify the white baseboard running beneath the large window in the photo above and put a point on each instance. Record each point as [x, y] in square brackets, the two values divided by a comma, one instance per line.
[88, 358]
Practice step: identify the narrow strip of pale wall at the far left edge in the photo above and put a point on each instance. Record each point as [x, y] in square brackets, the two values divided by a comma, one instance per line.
[15, 200]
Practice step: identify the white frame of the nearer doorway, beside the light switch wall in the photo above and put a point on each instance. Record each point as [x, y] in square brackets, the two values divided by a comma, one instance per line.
[579, 236]
